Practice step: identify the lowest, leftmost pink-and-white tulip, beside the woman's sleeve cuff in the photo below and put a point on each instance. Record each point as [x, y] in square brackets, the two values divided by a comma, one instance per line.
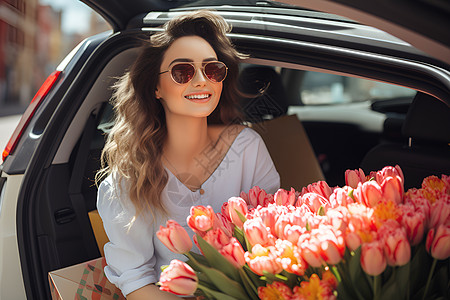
[179, 279]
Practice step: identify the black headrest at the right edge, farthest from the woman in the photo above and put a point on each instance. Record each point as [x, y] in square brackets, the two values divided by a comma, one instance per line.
[428, 119]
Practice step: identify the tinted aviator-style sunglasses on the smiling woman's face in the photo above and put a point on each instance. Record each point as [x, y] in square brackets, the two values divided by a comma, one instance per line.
[182, 73]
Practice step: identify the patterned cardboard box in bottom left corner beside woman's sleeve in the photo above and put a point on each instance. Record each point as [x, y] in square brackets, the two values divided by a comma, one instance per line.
[83, 281]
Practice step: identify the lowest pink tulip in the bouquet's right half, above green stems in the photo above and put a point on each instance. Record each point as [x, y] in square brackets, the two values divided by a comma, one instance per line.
[373, 261]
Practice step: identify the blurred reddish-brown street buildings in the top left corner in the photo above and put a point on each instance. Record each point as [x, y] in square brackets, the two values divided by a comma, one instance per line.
[31, 46]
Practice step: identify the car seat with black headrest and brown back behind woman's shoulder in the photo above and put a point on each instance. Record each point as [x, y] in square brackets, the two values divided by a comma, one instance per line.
[265, 105]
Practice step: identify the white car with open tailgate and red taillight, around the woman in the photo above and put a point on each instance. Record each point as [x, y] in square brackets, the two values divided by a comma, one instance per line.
[326, 92]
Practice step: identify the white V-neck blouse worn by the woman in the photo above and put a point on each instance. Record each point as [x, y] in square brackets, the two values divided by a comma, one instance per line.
[134, 254]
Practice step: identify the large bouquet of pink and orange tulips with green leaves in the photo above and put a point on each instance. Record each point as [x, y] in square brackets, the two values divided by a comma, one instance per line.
[367, 240]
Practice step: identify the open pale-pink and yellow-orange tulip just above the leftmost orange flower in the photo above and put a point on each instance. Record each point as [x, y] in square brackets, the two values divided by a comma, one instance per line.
[263, 259]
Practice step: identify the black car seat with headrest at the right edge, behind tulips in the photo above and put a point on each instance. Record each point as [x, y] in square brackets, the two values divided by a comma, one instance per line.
[427, 151]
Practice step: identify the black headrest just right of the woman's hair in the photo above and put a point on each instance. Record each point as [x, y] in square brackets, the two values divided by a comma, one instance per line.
[265, 96]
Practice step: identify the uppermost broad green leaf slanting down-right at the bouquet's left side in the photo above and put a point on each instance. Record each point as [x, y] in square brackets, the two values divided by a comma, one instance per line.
[216, 260]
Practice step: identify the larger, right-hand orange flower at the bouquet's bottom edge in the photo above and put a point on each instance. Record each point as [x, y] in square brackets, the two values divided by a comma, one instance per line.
[315, 289]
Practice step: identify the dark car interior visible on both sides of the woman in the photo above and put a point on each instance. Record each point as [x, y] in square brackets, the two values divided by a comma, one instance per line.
[304, 150]
